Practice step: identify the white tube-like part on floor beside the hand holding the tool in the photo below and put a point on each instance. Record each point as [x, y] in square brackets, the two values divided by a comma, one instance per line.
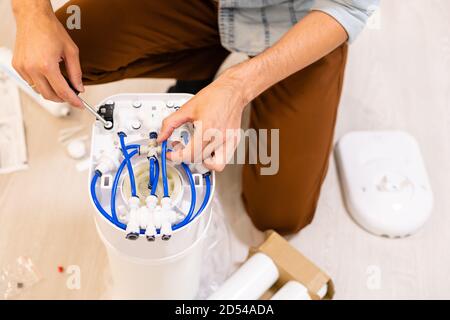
[57, 109]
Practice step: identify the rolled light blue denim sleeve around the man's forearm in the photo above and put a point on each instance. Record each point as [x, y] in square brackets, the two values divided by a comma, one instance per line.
[351, 14]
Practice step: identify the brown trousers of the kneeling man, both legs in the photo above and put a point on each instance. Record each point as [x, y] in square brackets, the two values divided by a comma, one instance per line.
[179, 39]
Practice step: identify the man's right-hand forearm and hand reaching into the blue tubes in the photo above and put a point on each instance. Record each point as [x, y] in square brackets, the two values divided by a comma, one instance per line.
[219, 106]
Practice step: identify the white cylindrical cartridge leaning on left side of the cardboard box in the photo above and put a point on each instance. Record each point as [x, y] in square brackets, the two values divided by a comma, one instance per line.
[250, 281]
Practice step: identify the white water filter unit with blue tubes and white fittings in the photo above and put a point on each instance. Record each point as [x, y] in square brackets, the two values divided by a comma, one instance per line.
[151, 214]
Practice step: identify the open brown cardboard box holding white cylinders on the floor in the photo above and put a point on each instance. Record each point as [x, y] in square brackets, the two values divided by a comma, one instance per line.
[292, 265]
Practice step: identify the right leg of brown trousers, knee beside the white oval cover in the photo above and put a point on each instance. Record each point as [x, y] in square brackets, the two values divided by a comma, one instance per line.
[304, 108]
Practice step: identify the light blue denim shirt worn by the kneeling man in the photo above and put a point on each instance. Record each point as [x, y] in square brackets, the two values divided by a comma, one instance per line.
[251, 26]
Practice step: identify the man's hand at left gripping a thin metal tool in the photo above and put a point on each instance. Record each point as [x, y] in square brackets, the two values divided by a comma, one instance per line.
[42, 44]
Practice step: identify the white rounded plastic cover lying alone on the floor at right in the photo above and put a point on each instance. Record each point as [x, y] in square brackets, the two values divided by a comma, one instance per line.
[385, 183]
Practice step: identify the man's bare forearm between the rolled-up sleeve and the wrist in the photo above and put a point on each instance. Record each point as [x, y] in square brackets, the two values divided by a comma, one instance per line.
[309, 40]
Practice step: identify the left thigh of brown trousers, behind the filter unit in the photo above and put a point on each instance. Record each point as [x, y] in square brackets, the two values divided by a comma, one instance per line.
[139, 39]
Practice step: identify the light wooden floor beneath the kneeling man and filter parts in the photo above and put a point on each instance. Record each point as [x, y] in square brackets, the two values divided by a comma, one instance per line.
[397, 78]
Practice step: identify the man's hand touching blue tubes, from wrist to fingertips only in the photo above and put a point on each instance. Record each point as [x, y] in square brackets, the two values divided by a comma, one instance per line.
[216, 112]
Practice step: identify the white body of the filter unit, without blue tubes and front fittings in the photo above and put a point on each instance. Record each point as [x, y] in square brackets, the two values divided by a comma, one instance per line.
[142, 269]
